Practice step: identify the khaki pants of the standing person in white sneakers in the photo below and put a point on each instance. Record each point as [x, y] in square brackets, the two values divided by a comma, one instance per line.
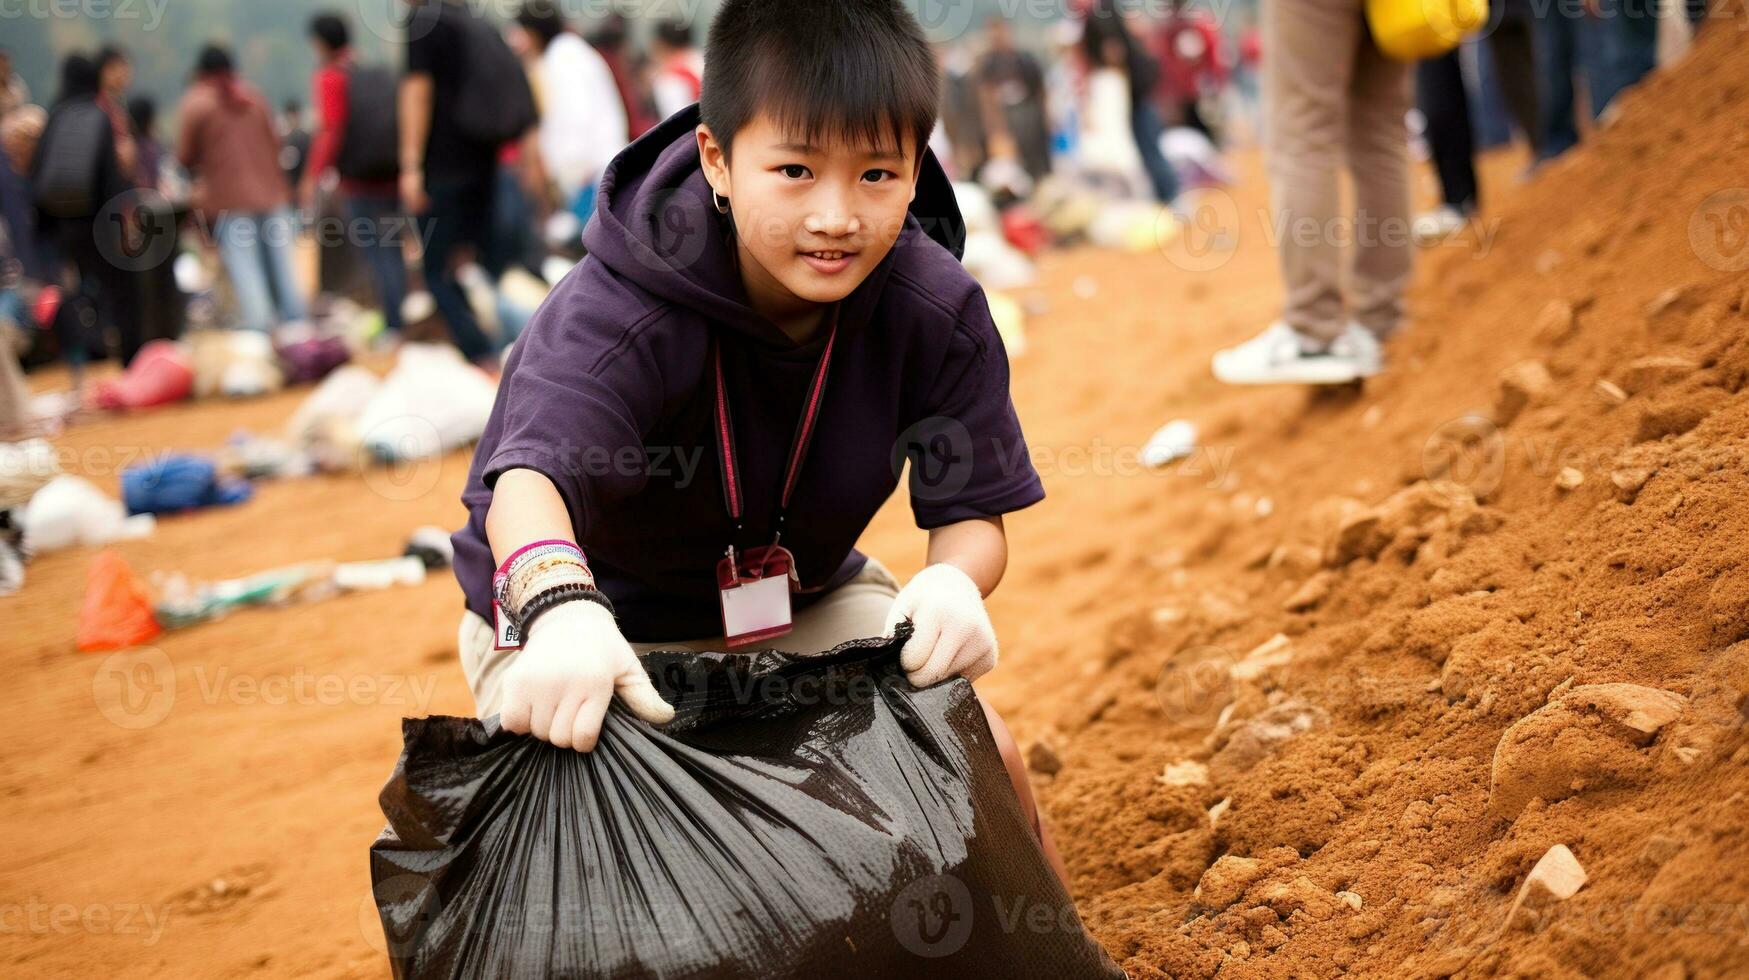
[1334, 99]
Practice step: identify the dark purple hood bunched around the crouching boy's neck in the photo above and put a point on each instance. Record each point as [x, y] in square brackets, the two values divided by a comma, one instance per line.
[657, 227]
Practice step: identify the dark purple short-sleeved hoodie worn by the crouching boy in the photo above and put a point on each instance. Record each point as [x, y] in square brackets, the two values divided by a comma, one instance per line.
[608, 395]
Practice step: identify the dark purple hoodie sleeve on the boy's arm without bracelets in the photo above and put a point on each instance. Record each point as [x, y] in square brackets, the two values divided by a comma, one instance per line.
[968, 456]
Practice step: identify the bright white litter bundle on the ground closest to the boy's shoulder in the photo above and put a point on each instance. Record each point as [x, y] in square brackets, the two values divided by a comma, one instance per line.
[431, 403]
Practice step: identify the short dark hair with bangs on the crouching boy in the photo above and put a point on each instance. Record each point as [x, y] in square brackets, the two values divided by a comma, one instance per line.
[860, 71]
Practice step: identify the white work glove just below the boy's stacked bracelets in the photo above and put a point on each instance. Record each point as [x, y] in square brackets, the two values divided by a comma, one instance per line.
[573, 664]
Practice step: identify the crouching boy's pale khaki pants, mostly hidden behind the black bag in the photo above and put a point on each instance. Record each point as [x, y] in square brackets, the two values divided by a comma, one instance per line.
[853, 612]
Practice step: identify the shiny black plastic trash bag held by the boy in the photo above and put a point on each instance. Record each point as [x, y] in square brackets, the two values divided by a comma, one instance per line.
[809, 818]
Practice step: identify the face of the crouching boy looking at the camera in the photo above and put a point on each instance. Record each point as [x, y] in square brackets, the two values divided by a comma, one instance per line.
[812, 221]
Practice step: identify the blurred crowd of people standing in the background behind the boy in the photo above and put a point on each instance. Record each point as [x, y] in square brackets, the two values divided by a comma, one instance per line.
[461, 176]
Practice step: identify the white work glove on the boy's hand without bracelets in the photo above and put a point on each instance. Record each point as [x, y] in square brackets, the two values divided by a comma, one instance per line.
[951, 629]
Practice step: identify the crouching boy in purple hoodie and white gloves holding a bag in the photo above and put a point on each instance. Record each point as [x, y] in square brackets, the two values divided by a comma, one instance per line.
[713, 402]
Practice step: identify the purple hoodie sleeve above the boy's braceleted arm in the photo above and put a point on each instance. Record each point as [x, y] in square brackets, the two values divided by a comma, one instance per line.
[575, 407]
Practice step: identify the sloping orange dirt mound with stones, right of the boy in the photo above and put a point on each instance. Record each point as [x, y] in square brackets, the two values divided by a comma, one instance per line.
[1554, 496]
